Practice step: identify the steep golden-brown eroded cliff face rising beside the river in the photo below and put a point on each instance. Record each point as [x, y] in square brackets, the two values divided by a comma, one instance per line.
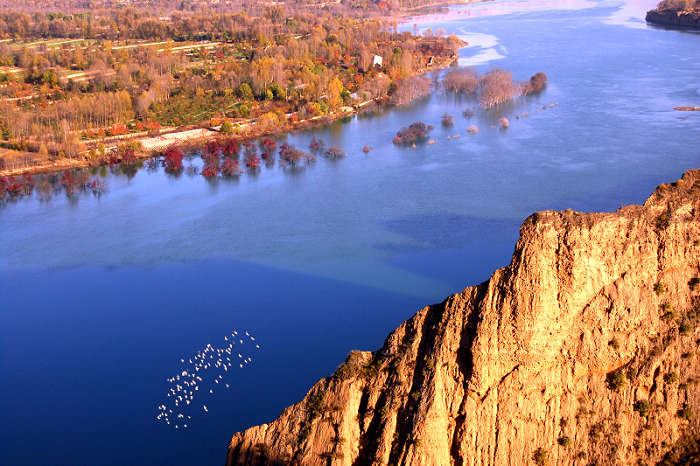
[583, 350]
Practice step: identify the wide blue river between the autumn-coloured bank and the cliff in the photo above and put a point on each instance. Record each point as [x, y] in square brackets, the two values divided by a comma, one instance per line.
[101, 297]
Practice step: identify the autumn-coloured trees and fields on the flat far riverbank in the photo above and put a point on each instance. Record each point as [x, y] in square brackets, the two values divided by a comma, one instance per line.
[74, 86]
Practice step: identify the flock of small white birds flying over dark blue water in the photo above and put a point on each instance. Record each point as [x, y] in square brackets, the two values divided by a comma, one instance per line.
[206, 368]
